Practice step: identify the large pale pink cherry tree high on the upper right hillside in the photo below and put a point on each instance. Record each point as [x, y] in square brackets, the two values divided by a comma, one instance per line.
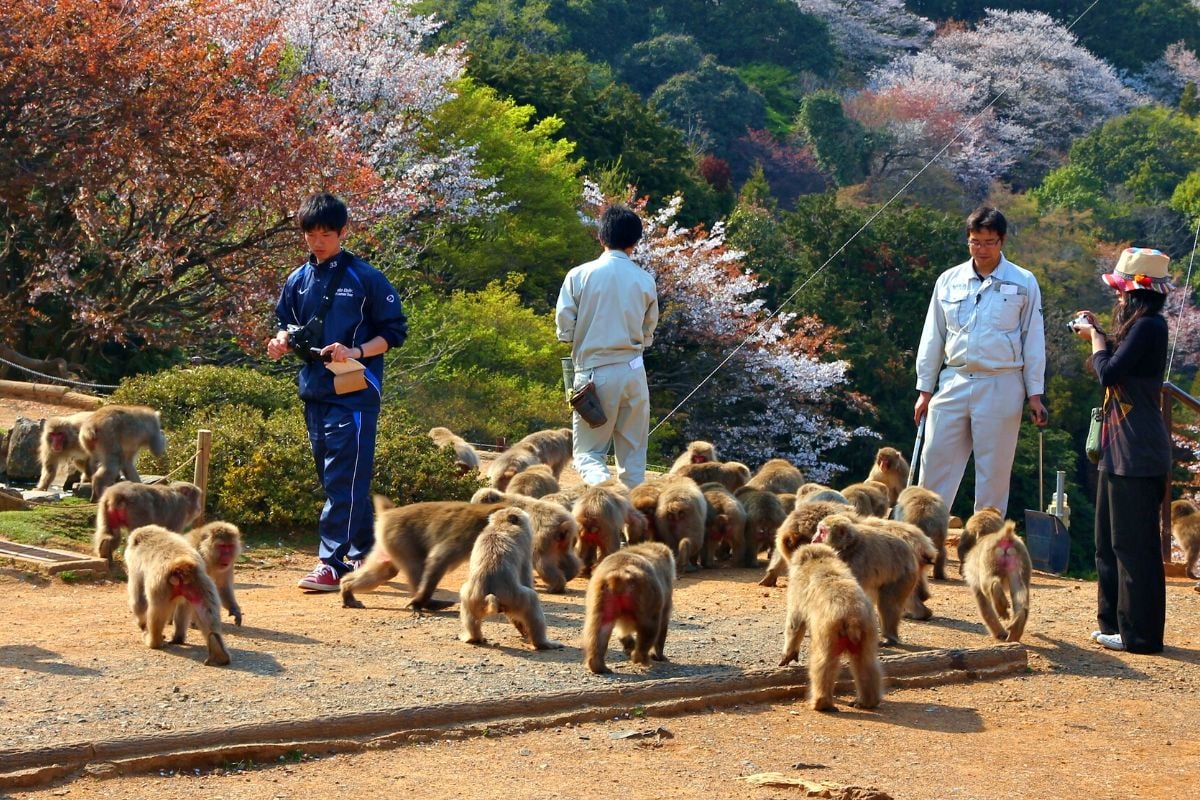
[1018, 89]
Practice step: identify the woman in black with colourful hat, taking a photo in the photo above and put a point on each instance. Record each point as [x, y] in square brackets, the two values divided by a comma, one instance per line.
[1136, 455]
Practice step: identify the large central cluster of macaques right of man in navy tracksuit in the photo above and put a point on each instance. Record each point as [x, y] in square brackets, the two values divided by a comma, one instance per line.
[854, 567]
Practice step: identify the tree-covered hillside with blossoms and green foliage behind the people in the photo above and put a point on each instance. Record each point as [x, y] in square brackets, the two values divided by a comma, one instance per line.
[803, 169]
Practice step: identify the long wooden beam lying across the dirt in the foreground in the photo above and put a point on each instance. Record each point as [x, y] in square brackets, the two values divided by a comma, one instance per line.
[374, 730]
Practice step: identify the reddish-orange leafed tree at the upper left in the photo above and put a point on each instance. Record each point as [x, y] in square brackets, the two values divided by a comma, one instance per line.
[151, 159]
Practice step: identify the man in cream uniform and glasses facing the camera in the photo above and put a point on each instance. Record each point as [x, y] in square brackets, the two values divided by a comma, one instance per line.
[982, 353]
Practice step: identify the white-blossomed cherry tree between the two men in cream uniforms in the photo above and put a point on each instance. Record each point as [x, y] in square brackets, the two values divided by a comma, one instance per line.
[772, 392]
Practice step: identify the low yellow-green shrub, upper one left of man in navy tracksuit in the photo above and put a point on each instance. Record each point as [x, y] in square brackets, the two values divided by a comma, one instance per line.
[178, 394]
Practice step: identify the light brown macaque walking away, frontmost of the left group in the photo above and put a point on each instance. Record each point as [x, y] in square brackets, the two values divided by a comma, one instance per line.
[169, 580]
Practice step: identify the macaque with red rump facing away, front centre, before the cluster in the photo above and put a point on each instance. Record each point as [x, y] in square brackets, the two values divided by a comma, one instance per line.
[629, 593]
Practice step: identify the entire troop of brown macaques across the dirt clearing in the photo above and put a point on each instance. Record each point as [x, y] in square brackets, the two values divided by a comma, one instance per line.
[855, 558]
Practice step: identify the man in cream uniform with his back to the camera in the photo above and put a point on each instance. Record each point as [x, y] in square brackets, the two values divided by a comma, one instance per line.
[608, 310]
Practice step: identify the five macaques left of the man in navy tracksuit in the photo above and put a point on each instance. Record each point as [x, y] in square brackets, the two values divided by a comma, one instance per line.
[171, 576]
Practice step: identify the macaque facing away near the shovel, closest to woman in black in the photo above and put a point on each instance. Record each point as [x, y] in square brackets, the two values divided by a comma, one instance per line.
[997, 563]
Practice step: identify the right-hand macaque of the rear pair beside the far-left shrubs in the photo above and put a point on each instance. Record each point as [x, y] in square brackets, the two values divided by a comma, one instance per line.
[113, 436]
